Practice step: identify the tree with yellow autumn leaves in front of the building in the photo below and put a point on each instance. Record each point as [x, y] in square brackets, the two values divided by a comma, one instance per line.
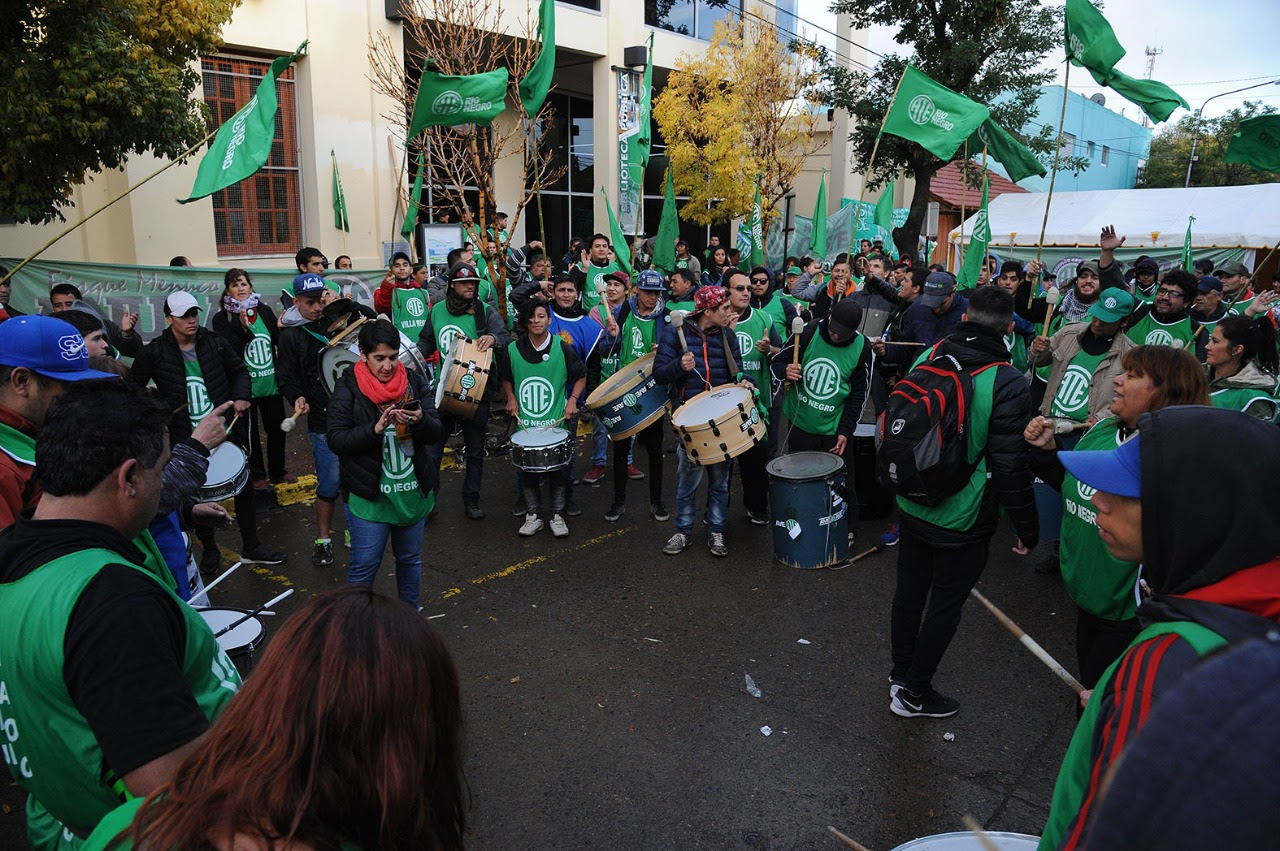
[735, 112]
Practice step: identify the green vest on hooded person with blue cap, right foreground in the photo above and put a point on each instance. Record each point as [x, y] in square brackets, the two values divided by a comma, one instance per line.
[1073, 779]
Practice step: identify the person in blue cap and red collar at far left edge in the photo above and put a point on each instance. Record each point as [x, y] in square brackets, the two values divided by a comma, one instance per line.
[39, 355]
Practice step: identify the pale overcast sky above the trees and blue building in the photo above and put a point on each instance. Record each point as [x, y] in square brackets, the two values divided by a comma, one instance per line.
[1210, 48]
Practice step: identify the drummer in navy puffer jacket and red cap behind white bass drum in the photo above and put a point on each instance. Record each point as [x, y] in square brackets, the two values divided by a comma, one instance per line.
[692, 359]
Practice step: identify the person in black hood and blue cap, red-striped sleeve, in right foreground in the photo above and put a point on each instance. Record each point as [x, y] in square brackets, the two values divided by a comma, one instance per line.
[1204, 585]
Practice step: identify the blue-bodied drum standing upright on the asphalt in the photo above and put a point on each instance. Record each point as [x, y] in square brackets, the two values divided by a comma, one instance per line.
[808, 510]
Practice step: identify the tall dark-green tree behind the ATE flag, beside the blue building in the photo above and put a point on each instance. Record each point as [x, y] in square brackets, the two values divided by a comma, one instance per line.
[989, 51]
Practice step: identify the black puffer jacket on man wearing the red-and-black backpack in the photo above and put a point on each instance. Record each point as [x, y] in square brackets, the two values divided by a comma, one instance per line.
[1011, 479]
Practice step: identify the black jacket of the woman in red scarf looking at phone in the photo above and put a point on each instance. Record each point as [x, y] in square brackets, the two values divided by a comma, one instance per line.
[360, 450]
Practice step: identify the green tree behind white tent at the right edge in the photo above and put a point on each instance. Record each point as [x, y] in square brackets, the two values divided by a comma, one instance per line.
[1172, 152]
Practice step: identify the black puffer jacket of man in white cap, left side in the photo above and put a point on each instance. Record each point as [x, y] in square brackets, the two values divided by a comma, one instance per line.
[222, 368]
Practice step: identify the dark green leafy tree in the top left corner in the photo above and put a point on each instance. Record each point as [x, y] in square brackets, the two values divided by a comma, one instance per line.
[90, 84]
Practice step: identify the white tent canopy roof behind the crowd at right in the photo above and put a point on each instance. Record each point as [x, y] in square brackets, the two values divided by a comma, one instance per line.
[1235, 217]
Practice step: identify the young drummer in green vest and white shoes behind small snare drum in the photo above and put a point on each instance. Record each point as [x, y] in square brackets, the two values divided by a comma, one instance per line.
[543, 376]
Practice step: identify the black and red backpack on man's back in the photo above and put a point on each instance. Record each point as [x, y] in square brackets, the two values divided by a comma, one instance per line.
[922, 440]
